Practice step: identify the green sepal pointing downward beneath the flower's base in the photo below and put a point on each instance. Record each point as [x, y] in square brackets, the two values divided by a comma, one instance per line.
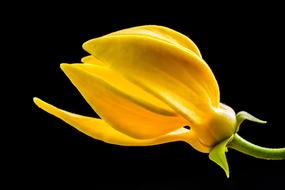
[218, 155]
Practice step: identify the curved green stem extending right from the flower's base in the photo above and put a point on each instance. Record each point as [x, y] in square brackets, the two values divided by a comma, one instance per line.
[242, 145]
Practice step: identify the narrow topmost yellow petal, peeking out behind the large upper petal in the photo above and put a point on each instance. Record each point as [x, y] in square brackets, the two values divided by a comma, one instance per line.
[162, 33]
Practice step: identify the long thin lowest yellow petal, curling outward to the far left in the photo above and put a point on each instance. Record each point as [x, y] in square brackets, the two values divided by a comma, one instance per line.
[100, 130]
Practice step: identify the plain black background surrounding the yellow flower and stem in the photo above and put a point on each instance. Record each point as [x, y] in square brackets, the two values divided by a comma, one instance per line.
[243, 44]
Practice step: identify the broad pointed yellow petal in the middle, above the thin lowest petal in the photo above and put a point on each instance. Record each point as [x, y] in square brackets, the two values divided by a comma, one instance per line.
[123, 105]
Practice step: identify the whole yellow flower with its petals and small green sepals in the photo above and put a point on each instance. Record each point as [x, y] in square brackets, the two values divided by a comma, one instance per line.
[147, 83]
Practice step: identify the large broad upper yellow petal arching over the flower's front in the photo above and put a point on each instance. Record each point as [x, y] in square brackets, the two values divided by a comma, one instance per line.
[178, 77]
